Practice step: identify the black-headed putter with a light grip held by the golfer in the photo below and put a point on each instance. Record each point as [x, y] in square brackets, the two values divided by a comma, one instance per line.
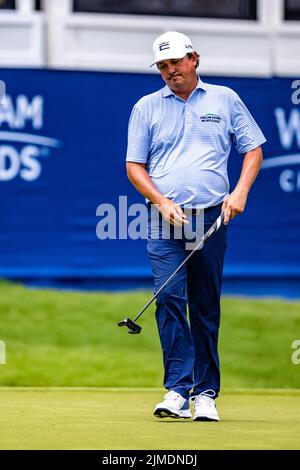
[134, 328]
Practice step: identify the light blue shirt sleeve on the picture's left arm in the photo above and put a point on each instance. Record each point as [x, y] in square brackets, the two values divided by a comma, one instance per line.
[138, 137]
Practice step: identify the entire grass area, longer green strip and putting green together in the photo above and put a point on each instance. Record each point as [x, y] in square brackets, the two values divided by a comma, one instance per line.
[71, 339]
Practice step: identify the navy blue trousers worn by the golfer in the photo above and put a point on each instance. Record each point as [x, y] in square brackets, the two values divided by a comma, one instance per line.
[190, 348]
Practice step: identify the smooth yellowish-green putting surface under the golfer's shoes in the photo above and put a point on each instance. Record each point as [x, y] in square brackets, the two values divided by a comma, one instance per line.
[66, 418]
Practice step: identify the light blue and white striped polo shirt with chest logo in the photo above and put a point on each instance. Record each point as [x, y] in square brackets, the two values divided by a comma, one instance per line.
[186, 144]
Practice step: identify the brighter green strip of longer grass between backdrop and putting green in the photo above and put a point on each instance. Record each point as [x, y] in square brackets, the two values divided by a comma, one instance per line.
[71, 339]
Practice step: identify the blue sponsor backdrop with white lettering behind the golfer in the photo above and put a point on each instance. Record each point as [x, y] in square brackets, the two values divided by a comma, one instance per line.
[62, 154]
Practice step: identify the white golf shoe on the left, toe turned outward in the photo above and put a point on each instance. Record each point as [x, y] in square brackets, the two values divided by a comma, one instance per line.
[173, 406]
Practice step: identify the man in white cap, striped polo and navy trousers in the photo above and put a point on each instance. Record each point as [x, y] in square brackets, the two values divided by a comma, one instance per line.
[179, 140]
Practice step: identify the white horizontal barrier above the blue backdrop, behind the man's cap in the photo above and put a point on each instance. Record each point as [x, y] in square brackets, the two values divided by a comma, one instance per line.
[59, 38]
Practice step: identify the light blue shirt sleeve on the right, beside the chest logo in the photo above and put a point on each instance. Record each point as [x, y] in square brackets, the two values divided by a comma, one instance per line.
[246, 133]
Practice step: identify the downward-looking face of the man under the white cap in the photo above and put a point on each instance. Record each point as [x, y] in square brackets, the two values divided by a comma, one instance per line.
[178, 74]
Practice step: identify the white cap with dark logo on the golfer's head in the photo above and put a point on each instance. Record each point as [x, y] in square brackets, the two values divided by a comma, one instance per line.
[171, 45]
